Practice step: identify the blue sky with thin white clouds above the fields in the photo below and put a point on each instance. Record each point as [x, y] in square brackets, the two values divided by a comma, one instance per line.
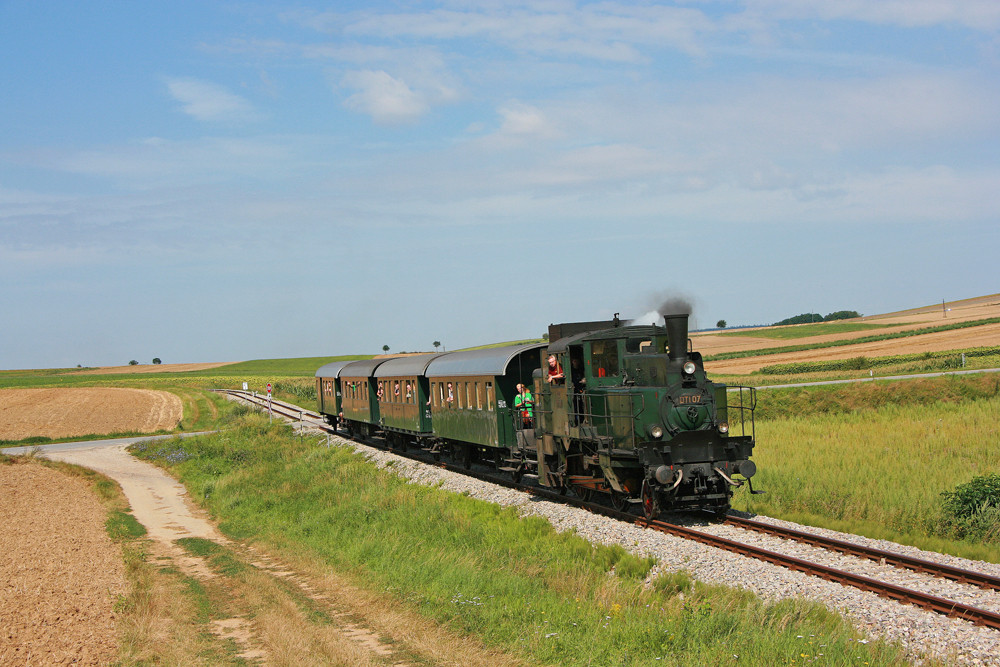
[220, 181]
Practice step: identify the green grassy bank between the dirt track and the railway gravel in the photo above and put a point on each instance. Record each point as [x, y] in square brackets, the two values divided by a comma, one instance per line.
[514, 583]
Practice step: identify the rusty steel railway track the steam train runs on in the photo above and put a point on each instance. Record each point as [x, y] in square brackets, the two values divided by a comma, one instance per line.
[884, 589]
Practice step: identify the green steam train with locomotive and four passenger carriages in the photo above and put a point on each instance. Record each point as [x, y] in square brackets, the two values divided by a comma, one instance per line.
[602, 408]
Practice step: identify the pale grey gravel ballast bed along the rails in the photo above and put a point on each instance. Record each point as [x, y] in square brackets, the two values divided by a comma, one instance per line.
[921, 633]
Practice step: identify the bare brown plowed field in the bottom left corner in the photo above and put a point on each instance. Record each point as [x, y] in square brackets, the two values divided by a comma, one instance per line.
[60, 573]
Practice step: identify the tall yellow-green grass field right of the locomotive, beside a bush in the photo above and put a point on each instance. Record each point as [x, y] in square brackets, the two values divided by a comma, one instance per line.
[875, 458]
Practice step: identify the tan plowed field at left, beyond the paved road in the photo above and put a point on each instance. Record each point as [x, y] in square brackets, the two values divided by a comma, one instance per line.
[68, 412]
